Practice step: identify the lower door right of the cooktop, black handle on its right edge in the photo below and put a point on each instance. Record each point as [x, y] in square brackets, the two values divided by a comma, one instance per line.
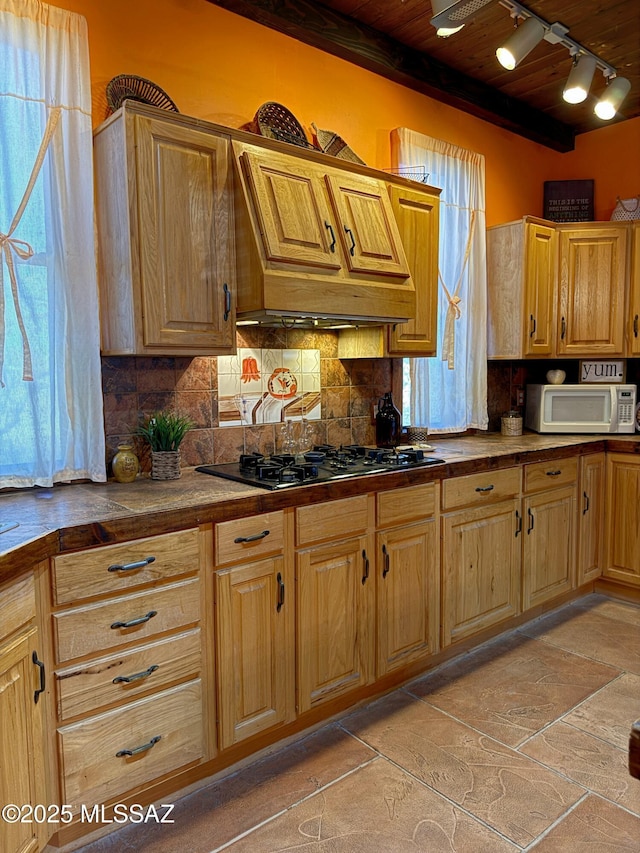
[480, 568]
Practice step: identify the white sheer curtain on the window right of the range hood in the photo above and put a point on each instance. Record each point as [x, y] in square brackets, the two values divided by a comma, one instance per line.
[448, 393]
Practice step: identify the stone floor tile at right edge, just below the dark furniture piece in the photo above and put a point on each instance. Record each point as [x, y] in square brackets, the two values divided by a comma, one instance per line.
[587, 760]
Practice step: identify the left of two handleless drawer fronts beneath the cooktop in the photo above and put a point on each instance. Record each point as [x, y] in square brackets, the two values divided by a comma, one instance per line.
[332, 520]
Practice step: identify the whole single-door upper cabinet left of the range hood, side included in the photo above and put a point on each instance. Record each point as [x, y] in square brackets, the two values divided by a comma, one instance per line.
[165, 235]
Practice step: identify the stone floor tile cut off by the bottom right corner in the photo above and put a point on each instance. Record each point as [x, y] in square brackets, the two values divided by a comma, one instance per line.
[594, 825]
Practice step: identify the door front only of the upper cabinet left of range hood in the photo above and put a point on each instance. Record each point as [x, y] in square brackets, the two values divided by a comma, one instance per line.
[185, 223]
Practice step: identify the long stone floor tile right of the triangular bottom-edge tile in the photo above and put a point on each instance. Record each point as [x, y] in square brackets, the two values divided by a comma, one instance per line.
[506, 790]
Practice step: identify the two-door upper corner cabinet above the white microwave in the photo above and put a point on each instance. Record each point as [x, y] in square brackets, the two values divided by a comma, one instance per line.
[556, 289]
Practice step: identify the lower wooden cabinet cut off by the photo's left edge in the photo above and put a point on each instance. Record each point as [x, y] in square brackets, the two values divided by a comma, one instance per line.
[21, 737]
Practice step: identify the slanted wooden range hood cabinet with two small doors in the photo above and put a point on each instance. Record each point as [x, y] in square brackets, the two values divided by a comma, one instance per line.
[316, 240]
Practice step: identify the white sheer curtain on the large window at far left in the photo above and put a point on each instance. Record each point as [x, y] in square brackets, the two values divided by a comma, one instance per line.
[51, 424]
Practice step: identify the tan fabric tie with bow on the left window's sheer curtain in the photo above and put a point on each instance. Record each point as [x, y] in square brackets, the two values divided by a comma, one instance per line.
[11, 245]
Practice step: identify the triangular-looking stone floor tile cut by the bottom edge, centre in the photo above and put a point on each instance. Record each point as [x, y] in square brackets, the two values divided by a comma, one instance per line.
[377, 809]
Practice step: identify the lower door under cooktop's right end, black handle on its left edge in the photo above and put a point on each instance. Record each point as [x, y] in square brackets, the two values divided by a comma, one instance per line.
[407, 572]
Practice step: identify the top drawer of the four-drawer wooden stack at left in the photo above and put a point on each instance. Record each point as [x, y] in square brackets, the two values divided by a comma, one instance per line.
[95, 571]
